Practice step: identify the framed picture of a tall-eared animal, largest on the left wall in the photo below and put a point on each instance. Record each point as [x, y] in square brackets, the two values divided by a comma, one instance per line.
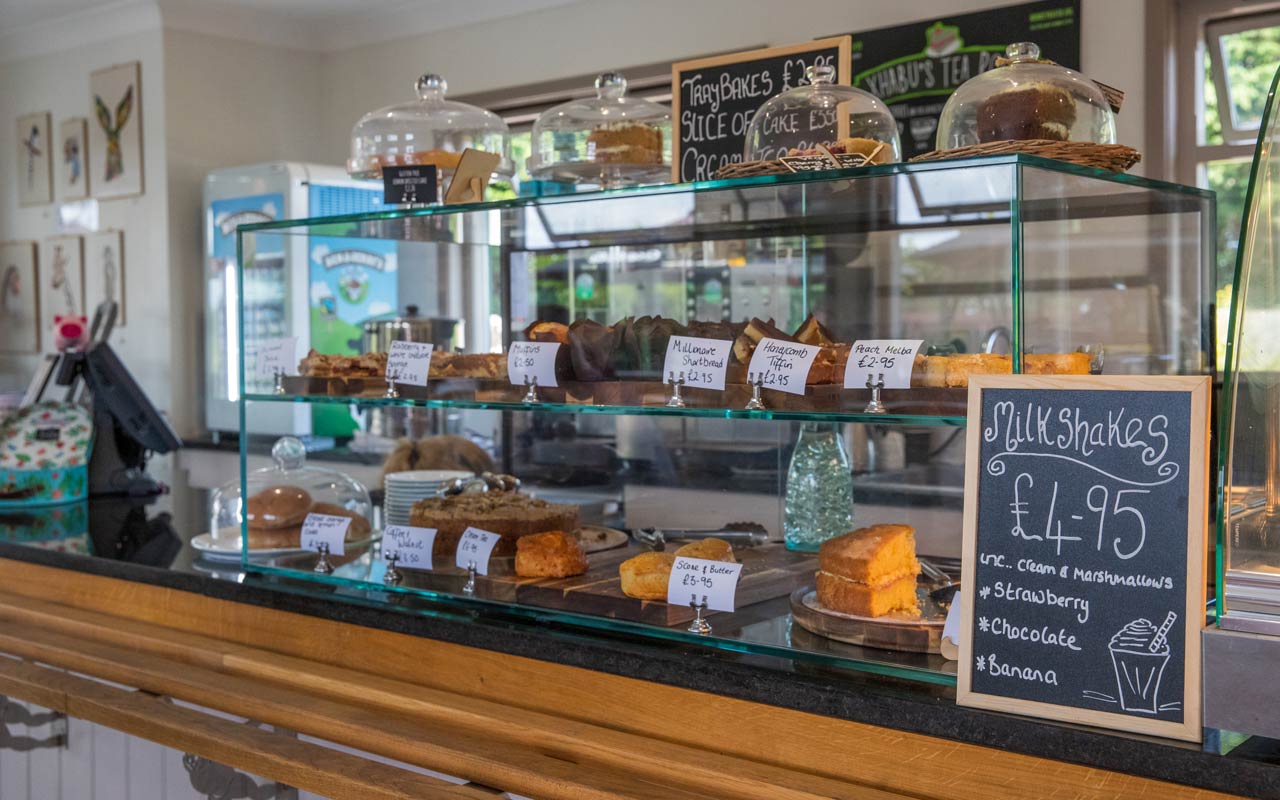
[116, 131]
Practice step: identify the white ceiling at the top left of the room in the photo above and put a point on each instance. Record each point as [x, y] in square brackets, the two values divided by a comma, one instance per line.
[309, 25]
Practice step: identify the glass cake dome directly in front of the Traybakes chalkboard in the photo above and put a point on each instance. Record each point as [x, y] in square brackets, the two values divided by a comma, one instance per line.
[842, 118]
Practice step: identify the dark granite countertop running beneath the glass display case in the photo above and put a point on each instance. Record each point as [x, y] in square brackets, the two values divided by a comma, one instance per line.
[132, 542]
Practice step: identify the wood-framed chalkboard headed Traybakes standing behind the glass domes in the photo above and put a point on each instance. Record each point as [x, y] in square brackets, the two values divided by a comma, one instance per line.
[714, 102]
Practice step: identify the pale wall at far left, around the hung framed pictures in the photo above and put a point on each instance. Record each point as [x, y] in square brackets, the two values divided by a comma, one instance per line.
[58, 83]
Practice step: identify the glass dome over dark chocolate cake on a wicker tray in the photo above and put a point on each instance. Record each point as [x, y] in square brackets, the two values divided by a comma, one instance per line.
[1027, 100]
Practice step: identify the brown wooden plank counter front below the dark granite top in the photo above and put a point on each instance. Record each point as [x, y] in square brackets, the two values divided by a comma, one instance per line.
[518, 725]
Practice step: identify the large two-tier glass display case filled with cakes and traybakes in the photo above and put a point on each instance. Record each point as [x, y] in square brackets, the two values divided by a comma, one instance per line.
[1002, 264]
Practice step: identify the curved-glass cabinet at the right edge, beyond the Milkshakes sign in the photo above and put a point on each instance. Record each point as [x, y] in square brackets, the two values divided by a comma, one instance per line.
[1249, 546]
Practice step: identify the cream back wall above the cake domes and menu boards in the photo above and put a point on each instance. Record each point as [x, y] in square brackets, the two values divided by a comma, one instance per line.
[591, 36]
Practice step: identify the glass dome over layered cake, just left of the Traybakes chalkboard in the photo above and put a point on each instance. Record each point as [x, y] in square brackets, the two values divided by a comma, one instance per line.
[610, 140]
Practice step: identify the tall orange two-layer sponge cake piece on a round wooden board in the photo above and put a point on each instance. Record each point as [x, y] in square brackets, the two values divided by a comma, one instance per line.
[870, 573]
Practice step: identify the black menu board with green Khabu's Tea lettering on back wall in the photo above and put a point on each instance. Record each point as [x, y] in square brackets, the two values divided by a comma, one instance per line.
[916, 67]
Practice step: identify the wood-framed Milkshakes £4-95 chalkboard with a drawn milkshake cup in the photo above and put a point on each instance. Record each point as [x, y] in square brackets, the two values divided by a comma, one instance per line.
[1085, 532]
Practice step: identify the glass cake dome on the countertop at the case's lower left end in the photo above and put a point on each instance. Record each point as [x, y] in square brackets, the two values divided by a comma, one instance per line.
[284, 495]
